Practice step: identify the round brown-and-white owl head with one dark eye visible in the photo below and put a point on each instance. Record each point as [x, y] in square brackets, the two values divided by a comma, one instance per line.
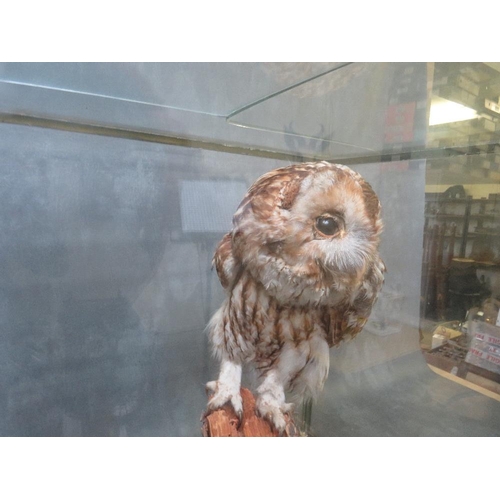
[308, 233]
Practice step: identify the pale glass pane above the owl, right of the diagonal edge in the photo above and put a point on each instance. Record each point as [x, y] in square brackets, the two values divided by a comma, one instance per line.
[355, 110]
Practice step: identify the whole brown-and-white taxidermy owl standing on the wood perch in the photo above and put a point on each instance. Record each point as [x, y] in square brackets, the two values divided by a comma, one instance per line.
[302, 271]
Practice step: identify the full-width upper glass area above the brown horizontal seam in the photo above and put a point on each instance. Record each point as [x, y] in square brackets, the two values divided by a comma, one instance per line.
[318, 110]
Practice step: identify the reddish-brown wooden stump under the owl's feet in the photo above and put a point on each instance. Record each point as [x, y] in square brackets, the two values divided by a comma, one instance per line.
[225, 422]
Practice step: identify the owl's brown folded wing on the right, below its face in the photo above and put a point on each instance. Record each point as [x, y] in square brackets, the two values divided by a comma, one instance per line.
[347, 322]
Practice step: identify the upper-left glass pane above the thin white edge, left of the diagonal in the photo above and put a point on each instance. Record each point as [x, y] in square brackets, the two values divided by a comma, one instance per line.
[206, 88]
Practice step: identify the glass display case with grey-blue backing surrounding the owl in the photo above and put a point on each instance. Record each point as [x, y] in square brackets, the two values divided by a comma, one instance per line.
[119, 180]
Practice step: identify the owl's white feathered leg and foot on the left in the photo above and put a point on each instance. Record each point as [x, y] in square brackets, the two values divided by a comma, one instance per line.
[227, 388]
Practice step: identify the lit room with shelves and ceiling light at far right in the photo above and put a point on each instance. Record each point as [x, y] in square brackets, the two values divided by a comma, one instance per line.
[461, 264]
